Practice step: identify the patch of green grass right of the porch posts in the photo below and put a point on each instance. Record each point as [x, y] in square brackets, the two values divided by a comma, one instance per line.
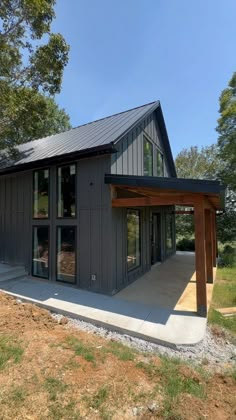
[224, 295]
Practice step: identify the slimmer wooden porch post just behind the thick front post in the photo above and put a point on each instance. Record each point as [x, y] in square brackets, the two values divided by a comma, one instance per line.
[209, 246]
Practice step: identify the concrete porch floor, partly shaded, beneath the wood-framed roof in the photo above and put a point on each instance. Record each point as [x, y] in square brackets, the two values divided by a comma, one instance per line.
[171, 284]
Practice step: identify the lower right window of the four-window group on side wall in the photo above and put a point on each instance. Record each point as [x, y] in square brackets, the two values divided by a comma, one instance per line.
[66, 254]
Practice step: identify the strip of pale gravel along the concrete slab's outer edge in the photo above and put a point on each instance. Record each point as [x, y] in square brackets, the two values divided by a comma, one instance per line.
[216, 348]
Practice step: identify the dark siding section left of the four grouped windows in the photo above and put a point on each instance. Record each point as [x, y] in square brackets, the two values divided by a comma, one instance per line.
[15, 218]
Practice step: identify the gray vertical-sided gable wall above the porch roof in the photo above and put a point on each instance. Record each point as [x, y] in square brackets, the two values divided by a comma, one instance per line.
[129, 159]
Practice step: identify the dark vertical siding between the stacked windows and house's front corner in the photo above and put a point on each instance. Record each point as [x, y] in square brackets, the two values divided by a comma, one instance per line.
[94, 213]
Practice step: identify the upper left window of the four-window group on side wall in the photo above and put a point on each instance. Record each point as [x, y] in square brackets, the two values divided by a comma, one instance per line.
[41, 193]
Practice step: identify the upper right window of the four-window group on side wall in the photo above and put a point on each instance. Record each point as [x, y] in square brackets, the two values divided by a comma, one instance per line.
[66, 176]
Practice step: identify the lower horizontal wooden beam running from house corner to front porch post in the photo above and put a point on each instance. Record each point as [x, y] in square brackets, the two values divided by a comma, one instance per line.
[186, 200]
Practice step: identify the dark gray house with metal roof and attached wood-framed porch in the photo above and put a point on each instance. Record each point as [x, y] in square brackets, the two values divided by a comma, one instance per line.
[95, 206]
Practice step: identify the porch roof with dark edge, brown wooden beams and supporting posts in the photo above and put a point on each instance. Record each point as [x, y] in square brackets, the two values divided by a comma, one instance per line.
[203, 196]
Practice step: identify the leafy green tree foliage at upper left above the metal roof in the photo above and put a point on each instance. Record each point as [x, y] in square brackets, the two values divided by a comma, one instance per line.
[30, 70]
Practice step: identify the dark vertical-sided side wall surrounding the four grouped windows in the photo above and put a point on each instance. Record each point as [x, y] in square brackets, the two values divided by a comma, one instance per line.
[93, 222]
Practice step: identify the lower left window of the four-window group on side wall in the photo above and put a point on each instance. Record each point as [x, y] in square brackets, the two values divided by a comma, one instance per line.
[40, 251]
